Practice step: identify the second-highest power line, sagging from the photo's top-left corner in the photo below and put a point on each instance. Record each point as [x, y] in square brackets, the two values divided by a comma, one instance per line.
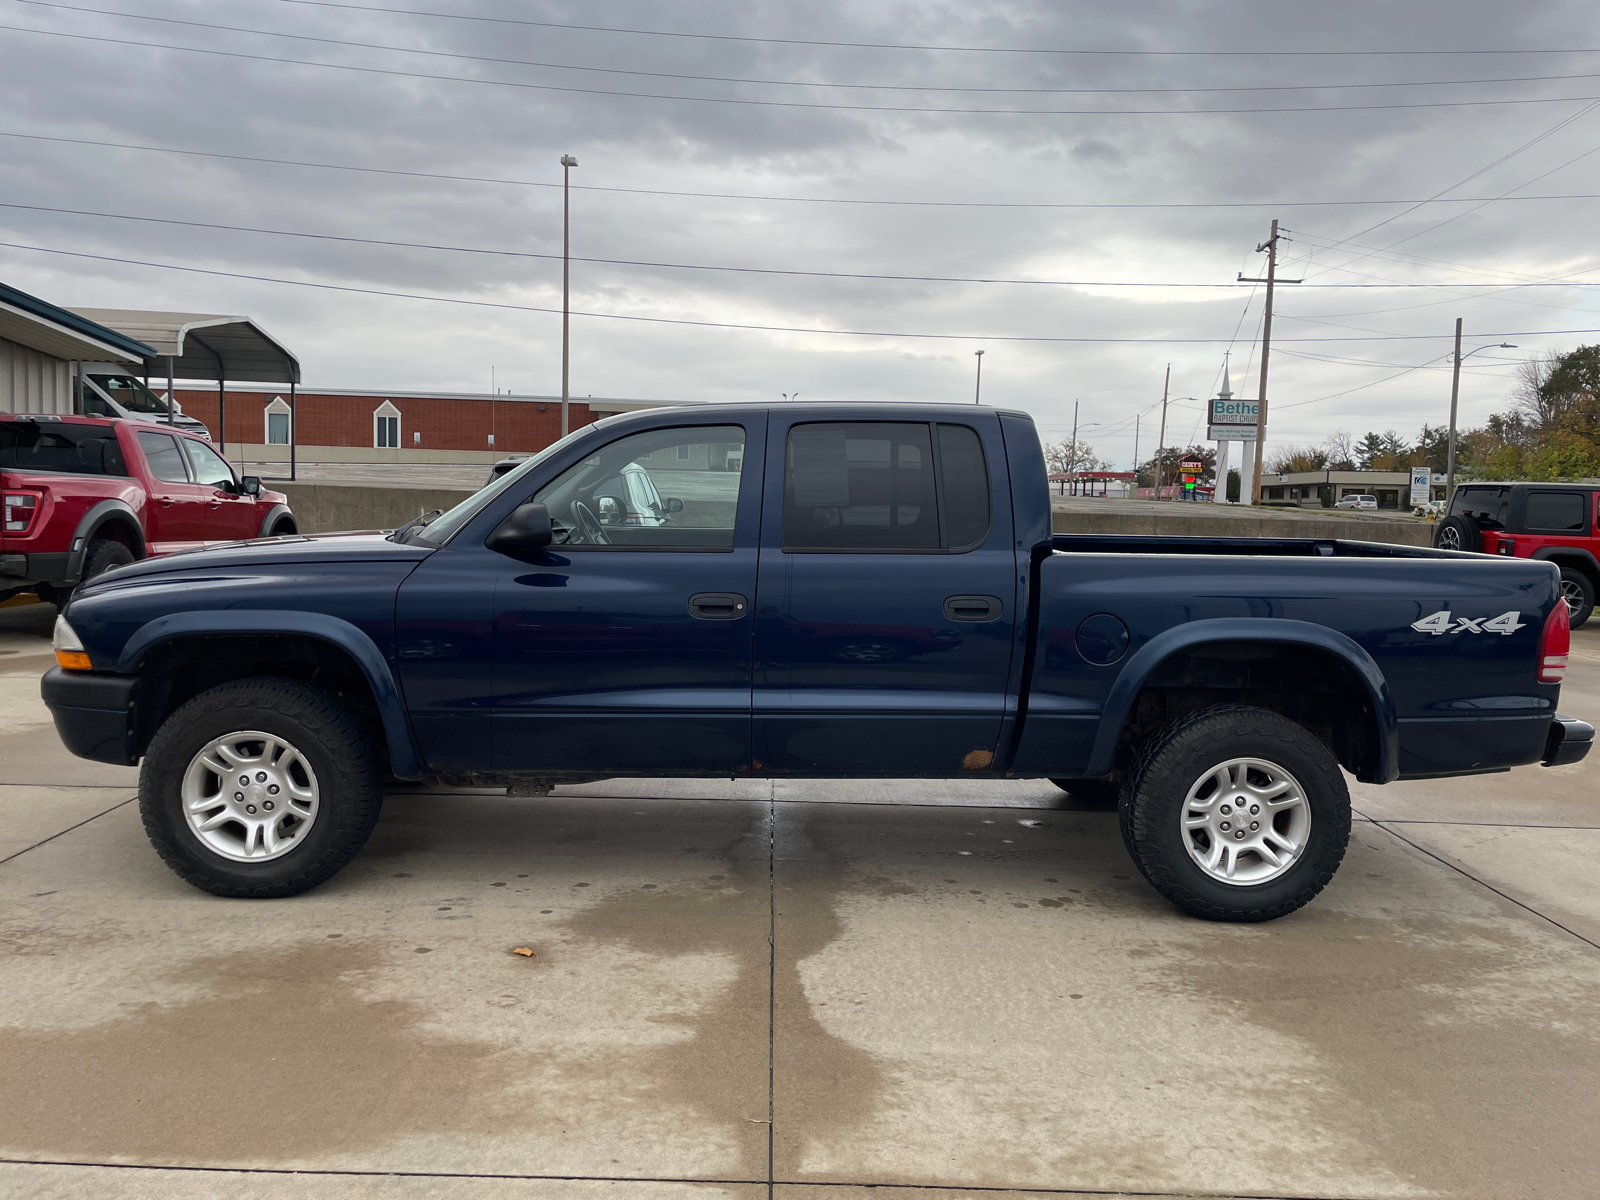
[799, 84]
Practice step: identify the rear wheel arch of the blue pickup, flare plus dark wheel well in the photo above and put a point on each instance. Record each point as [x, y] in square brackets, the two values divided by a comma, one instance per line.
[1196, 657]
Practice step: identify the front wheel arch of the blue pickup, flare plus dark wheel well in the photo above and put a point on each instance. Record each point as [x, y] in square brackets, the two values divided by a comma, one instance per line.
[182, 655]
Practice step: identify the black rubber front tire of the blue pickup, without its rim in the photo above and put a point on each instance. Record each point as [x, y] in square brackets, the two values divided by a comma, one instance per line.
[314, 724]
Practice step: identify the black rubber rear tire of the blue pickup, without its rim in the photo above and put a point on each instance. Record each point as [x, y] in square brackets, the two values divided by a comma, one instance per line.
[1180, 758]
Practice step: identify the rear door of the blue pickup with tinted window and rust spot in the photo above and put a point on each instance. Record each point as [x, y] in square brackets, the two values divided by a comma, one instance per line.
[887, 598]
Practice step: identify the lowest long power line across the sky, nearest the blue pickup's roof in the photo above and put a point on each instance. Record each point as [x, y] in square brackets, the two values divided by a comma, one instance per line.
[750, 327]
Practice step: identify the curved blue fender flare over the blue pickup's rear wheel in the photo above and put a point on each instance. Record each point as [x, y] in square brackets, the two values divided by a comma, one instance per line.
[1193, 634]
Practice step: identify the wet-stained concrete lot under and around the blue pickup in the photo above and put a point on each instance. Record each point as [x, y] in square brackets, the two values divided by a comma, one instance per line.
[796, 990]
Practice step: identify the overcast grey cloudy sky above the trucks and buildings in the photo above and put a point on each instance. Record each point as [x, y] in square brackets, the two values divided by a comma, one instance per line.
[879, 190]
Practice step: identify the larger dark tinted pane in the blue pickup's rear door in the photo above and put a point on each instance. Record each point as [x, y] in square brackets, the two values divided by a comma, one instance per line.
[860, 486]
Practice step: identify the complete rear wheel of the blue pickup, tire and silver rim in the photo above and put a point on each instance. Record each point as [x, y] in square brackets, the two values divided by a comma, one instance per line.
[1236, 814]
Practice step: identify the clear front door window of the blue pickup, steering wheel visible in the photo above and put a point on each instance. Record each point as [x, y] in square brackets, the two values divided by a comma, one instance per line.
[666, 489]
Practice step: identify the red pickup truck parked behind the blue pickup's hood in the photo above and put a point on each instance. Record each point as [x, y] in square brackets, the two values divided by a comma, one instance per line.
[82, 495]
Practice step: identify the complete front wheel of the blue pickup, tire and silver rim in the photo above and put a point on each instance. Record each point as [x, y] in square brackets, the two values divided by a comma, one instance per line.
[258, 788]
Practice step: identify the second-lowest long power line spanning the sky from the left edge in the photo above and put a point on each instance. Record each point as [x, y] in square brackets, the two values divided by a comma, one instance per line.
[740, 271]
